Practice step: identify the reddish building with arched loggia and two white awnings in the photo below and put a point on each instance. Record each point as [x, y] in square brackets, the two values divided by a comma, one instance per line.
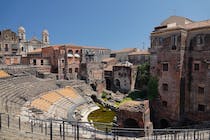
[64, 60]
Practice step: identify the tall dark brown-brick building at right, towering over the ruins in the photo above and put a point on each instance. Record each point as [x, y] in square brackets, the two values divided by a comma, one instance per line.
[180, 59]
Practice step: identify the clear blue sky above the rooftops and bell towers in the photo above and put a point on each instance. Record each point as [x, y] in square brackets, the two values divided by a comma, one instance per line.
[113, 24]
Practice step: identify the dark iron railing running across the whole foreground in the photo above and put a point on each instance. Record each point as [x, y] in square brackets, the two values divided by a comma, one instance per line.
[71, 130]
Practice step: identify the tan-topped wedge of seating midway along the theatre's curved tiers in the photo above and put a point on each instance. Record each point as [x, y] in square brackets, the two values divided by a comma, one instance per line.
[56, 103]
